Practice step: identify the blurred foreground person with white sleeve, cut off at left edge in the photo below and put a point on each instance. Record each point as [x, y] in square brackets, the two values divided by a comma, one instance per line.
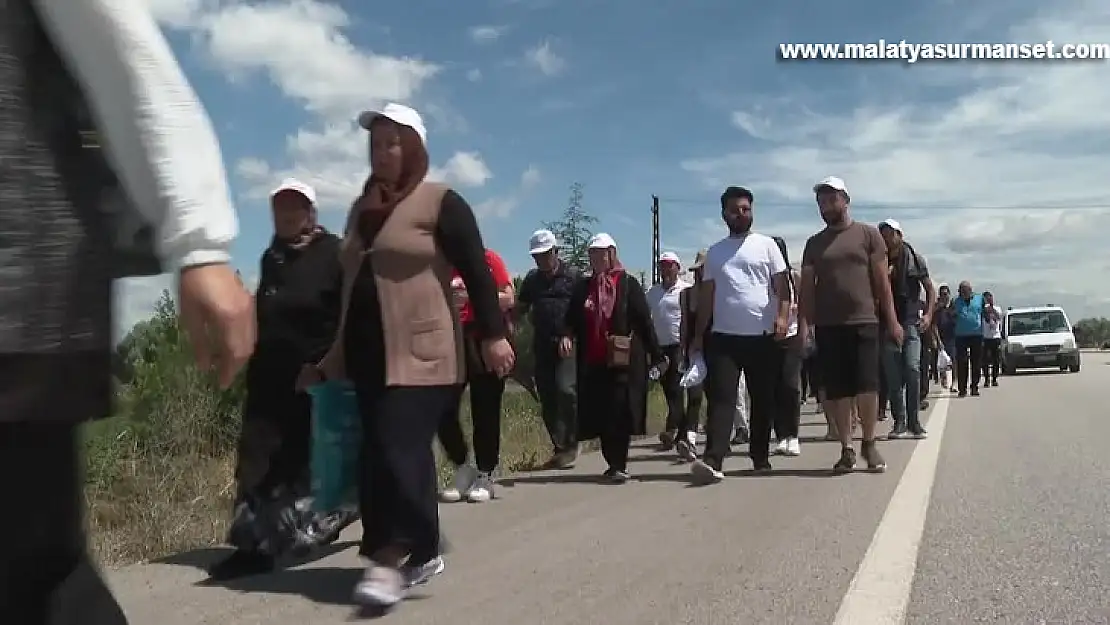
[109, 168]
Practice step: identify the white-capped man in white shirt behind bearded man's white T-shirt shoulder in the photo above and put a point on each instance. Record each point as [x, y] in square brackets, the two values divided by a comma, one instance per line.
[665, 304]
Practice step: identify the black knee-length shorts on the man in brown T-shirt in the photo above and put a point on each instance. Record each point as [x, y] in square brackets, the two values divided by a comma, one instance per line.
[849, 359]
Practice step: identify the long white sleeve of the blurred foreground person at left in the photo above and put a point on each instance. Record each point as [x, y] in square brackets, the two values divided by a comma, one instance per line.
[156, 134]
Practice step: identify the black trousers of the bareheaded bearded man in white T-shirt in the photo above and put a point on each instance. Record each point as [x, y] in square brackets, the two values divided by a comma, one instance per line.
[759, 359]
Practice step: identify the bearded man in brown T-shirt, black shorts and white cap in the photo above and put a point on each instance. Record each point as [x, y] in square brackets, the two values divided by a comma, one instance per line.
[845, 289]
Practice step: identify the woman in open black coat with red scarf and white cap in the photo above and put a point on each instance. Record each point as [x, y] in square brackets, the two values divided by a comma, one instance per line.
[610, 330]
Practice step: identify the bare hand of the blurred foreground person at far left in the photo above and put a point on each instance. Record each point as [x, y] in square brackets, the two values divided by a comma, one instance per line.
[219, 316]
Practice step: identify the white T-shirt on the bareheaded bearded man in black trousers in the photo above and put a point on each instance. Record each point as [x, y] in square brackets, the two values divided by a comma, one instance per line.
[742, 269]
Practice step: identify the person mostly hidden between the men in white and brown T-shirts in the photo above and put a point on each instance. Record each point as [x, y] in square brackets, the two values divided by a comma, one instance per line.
[789, 384]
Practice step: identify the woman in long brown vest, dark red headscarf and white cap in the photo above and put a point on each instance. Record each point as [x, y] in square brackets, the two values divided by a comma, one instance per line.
[401, 346]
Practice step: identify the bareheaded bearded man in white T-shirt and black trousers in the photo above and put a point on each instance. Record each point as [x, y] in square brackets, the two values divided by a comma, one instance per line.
[748, 288]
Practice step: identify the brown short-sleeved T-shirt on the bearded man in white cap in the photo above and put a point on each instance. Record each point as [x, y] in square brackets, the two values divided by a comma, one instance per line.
[842, 263]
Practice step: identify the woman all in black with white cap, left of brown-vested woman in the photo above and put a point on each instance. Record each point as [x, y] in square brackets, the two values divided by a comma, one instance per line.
[298, 305]
